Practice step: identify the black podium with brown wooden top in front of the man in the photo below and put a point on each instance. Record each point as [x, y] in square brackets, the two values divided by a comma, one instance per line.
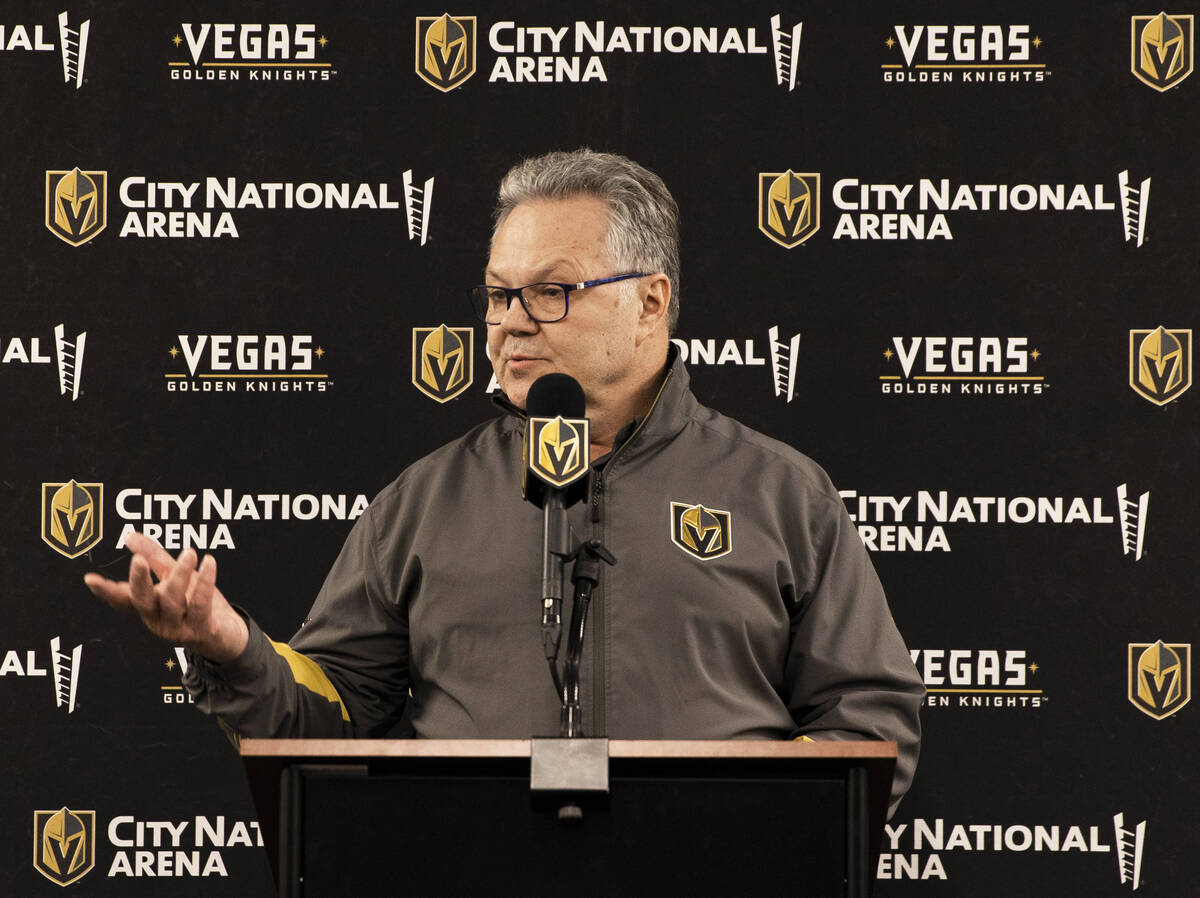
[458, 817]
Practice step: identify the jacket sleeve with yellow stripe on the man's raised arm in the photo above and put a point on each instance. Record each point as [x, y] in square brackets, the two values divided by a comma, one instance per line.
[344, 674]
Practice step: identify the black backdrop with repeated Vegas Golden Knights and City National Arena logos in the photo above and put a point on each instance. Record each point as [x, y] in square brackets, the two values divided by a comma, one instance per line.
[947, 250]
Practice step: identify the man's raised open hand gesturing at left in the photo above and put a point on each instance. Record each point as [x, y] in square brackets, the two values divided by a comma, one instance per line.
[185, 607]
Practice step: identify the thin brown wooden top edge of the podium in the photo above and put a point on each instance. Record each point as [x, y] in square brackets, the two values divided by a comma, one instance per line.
[521, 749]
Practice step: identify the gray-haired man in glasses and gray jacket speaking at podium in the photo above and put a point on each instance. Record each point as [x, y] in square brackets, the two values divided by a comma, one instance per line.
[742, 604]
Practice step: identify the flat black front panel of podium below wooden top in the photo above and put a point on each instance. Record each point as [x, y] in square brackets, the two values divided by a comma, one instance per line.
[653, 836]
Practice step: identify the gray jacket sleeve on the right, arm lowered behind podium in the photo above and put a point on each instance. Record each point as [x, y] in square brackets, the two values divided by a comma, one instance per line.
[849, 673]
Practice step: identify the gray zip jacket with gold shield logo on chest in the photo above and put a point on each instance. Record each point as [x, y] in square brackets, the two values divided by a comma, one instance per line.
[758, 615]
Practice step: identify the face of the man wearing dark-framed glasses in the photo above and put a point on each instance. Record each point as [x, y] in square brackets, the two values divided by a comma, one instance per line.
[562, 241]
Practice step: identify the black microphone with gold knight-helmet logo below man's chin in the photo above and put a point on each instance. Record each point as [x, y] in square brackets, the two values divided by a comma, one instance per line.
[554, 477]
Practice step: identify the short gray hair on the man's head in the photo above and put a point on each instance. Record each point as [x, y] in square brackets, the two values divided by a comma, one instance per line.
[644, 218]
